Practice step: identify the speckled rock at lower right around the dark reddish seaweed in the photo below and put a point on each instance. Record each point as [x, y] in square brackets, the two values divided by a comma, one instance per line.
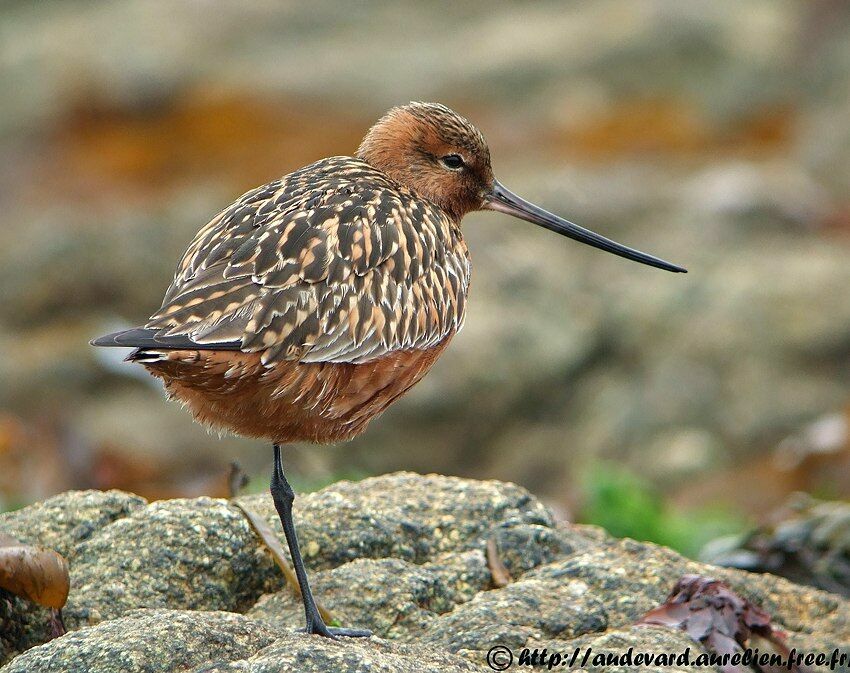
[610, 587]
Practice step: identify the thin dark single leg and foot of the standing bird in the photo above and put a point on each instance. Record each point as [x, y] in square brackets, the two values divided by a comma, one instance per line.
[283, 497]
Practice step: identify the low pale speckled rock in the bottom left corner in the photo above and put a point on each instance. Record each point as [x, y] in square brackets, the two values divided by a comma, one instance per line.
[148, 640]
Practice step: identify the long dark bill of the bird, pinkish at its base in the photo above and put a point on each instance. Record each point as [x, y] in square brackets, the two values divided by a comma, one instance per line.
[503, 200]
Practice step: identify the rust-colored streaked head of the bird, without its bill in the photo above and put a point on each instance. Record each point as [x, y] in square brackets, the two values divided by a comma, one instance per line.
[434, 151]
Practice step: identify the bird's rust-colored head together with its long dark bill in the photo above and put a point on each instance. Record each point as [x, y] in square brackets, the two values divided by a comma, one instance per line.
[444, 158]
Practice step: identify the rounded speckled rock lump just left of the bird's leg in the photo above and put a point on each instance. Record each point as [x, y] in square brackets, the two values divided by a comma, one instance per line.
[196, 554]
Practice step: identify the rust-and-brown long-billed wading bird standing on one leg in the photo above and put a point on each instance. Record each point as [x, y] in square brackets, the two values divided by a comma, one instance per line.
[304, 309]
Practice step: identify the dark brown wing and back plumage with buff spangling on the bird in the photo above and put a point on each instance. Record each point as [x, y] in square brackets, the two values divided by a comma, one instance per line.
[333, 263]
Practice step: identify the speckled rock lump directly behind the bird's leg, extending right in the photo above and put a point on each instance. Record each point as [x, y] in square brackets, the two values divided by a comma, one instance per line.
[412, 517]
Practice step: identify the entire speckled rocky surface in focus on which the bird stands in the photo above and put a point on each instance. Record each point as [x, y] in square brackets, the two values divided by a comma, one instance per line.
[158, 587]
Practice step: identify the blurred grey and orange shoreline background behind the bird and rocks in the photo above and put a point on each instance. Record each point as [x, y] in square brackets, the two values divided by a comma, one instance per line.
[673, 408]
